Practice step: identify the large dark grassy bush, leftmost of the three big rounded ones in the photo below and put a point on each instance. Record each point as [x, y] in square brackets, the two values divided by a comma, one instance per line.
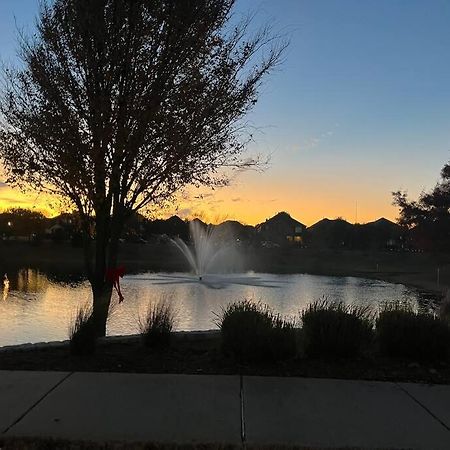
[251, 332]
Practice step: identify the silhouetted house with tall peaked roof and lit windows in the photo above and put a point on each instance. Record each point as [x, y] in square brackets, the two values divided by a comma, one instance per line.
[281, 229]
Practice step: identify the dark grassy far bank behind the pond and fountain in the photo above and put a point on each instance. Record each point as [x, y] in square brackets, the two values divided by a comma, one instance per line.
[414, 269]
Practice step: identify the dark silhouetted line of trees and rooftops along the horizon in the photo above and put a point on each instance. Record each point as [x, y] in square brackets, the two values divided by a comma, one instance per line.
[277, 231]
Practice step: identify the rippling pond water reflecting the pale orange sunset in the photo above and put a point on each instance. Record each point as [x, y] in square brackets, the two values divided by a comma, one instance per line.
[38, 307]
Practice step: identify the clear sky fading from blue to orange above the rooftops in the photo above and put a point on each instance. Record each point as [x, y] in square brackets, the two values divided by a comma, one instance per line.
[359, 108]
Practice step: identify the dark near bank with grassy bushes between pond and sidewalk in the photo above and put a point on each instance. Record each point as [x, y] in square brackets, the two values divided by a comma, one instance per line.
[327, 340]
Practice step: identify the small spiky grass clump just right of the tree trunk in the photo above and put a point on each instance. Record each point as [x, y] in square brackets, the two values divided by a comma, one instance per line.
[157, 324]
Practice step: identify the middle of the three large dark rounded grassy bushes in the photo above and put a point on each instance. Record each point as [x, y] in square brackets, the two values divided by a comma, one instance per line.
[335, 329]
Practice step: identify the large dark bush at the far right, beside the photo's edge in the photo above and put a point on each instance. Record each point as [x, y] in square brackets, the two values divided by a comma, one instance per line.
[402, 332]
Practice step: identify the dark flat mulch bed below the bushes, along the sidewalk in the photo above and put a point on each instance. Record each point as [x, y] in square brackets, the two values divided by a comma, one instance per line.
[203, 355]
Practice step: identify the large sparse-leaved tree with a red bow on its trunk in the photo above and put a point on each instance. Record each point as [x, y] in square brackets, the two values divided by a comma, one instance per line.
[121, 103]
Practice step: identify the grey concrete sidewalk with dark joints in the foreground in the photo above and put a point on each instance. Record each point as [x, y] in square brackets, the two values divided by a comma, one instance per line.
[193, 409]
